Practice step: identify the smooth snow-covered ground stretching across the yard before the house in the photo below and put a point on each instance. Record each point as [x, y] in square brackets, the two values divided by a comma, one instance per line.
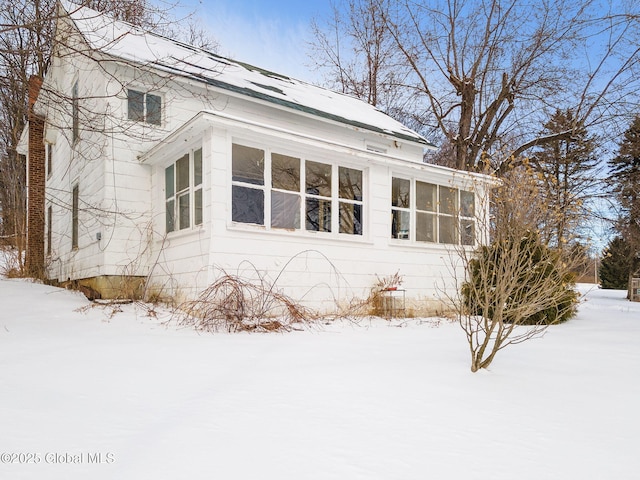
[85, 396]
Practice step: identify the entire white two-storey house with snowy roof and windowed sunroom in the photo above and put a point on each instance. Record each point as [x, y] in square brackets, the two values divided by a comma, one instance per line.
[170, 164]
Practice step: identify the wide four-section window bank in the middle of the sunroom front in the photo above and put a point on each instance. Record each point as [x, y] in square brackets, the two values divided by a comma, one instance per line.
[281, 191]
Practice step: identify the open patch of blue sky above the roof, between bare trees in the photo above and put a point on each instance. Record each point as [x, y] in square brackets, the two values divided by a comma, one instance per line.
[272, 34]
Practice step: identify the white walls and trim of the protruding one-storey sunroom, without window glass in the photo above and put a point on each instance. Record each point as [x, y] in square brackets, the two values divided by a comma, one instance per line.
[315, 266]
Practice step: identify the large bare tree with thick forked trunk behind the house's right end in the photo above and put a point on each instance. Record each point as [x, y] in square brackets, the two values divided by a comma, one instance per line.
[489, 72]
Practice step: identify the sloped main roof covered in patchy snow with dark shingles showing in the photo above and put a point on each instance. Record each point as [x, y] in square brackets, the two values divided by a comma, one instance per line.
[124, 41]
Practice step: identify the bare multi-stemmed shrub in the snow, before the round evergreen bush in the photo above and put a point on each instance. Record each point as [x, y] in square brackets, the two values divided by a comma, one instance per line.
[516, 286]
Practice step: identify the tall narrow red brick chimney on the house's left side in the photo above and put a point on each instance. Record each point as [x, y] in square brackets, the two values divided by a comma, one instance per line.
[36, 174]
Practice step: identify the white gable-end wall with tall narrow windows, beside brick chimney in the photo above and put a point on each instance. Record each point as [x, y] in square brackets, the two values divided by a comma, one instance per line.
[73, 164]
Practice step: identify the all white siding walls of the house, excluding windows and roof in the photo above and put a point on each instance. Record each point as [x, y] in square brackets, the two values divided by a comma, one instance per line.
[119, 167]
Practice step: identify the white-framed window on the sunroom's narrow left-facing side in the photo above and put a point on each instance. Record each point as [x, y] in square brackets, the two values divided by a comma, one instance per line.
[190, 193]
